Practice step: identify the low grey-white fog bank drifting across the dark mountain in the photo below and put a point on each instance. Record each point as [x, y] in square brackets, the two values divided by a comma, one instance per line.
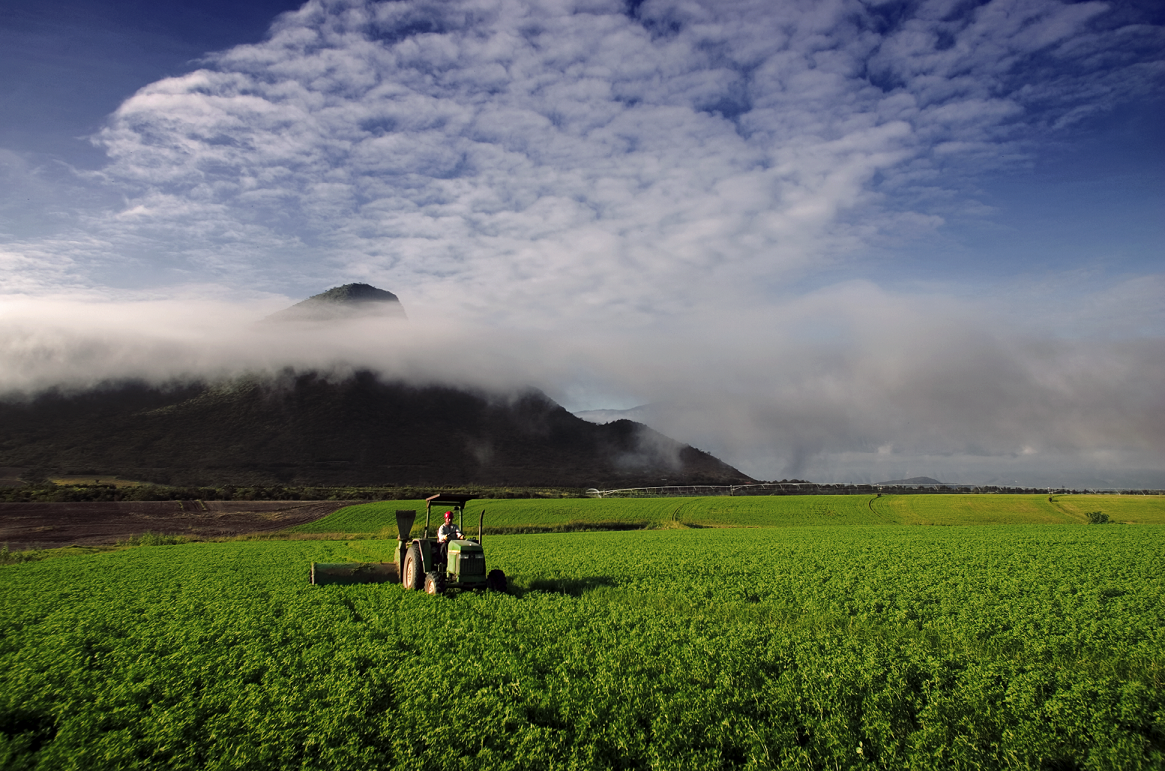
[850, 384]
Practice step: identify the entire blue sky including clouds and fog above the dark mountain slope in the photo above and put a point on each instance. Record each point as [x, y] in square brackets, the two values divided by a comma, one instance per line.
[831, 241]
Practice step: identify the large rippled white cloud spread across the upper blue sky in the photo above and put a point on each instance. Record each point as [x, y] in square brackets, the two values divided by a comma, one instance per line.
[562, 158]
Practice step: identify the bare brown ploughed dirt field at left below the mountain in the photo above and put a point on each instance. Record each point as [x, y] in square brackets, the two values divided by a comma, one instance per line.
[48, 526]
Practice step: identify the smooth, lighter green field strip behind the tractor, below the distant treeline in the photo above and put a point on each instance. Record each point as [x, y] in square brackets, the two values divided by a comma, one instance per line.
[764, 512]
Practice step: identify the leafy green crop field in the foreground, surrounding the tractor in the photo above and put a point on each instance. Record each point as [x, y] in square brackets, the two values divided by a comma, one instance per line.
[778, 648]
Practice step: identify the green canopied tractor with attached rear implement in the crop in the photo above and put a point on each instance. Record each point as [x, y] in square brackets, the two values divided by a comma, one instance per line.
[420, 564]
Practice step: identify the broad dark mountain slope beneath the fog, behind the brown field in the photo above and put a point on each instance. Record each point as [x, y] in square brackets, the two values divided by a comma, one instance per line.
[306, 429]
